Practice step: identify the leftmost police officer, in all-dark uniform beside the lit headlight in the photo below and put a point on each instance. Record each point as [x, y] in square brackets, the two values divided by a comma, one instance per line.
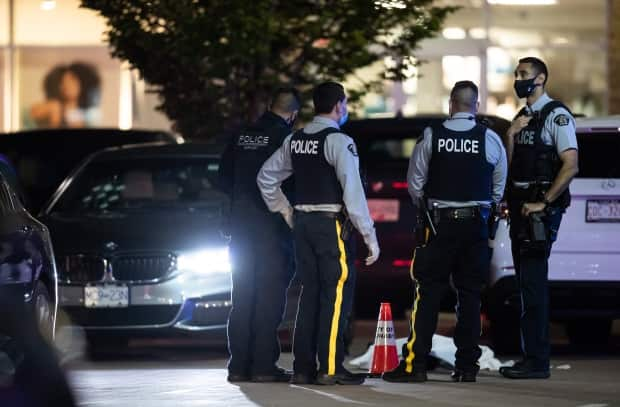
[261, 247]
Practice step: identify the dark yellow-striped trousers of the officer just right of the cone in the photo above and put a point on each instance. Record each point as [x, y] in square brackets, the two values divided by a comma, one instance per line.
[461, 249]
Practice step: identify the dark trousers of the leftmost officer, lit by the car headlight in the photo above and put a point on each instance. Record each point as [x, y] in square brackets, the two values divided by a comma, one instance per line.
[262, 260]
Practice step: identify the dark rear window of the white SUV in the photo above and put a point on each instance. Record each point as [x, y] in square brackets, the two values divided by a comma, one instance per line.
[598, 155]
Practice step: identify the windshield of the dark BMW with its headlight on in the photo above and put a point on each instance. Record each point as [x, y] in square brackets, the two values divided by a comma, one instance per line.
[143, 184]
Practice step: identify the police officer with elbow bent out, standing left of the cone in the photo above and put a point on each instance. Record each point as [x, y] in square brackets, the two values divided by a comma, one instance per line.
[327, 181]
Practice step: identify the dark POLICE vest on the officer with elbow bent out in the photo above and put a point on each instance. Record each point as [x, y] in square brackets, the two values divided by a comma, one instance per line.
[316, 182]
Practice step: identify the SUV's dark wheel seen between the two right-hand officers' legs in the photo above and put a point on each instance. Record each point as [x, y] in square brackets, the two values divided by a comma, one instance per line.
[503, 310]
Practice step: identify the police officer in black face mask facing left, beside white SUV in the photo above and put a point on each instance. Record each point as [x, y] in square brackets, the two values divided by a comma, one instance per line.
[542, 153]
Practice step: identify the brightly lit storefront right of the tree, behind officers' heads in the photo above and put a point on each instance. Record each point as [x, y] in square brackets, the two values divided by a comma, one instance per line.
[483, 41]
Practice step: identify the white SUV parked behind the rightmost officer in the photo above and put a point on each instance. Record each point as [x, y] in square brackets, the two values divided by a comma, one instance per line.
[584, 267]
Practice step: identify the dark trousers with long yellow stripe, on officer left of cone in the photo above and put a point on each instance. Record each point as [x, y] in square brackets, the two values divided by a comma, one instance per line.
[327, 289]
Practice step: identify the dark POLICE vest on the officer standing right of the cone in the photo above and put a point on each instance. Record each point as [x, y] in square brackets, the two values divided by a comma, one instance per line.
[458, 169]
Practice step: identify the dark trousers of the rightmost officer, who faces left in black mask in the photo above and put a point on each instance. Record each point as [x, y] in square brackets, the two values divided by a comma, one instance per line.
[532, 270]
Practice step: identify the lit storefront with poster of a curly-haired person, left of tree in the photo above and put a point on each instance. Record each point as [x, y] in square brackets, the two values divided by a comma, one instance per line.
[57, 52]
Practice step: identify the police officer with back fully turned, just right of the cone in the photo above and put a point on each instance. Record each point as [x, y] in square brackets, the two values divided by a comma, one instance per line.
[459, 170]
